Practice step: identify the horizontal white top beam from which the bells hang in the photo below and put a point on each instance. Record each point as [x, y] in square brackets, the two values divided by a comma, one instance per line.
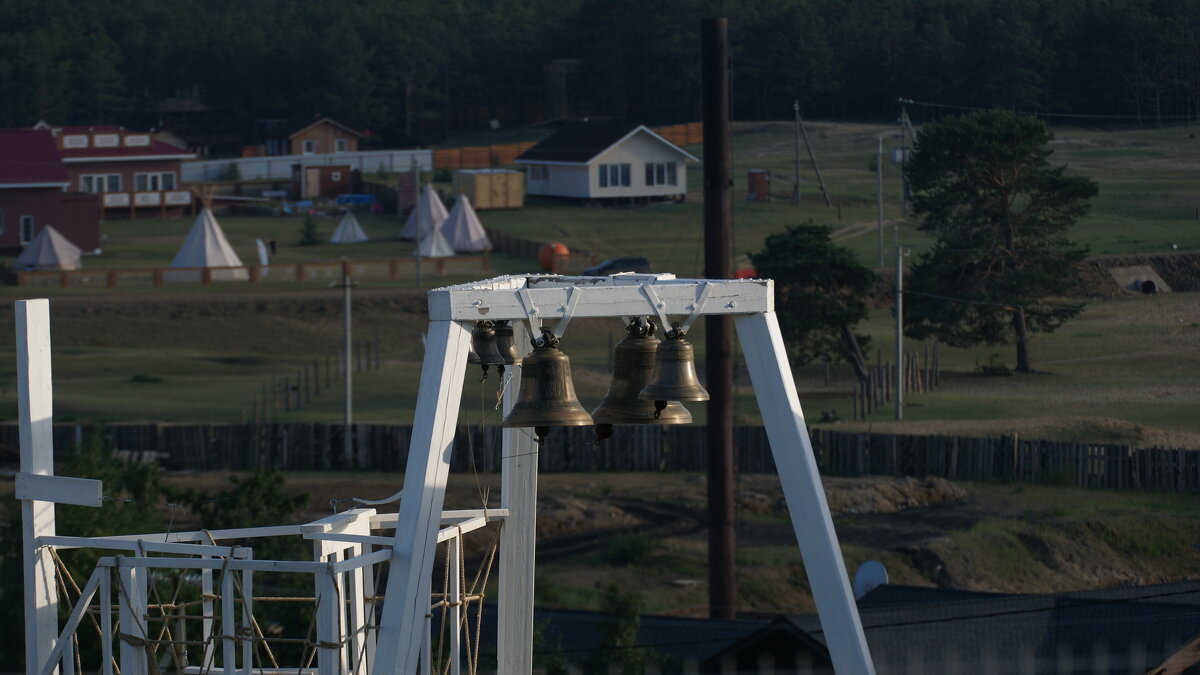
[601, 298]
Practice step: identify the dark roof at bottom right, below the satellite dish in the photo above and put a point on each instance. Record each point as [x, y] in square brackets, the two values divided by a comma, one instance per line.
[1138, 628]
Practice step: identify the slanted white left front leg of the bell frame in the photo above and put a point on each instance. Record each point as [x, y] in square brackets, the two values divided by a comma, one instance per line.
[407, 600]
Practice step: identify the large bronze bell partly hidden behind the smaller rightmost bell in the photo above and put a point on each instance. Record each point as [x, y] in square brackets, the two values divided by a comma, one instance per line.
[633, 362]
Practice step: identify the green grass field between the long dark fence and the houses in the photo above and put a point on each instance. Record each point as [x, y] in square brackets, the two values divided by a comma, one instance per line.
[1126, 371]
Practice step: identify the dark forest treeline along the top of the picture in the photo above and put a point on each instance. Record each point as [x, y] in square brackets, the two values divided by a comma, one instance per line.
[417, 65]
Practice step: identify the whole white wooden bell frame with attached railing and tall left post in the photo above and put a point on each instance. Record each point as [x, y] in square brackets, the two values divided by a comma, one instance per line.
[399, 643]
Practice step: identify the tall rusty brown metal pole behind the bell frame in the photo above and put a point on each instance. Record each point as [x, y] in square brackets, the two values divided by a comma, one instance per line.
[719, 330]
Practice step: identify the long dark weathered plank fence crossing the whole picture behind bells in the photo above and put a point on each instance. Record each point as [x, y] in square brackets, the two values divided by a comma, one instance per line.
[380, 447]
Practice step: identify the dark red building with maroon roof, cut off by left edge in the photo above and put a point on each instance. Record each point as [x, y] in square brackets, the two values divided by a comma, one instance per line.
[35, 192]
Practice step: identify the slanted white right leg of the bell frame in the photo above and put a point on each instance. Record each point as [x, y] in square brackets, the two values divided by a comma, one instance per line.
[790, 444]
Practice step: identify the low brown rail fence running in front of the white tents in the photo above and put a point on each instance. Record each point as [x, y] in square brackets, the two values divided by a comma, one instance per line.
[393, 270]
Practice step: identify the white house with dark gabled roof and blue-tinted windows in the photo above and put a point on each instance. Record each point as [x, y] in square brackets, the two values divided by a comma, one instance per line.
[607, 160]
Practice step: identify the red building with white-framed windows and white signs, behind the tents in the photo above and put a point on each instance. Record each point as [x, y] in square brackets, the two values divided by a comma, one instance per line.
[130, 172]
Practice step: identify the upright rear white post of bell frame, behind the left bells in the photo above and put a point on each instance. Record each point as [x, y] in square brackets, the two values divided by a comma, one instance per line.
[519, 494]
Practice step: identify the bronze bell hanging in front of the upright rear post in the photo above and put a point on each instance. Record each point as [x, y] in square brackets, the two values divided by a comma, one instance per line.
[548, 393]
